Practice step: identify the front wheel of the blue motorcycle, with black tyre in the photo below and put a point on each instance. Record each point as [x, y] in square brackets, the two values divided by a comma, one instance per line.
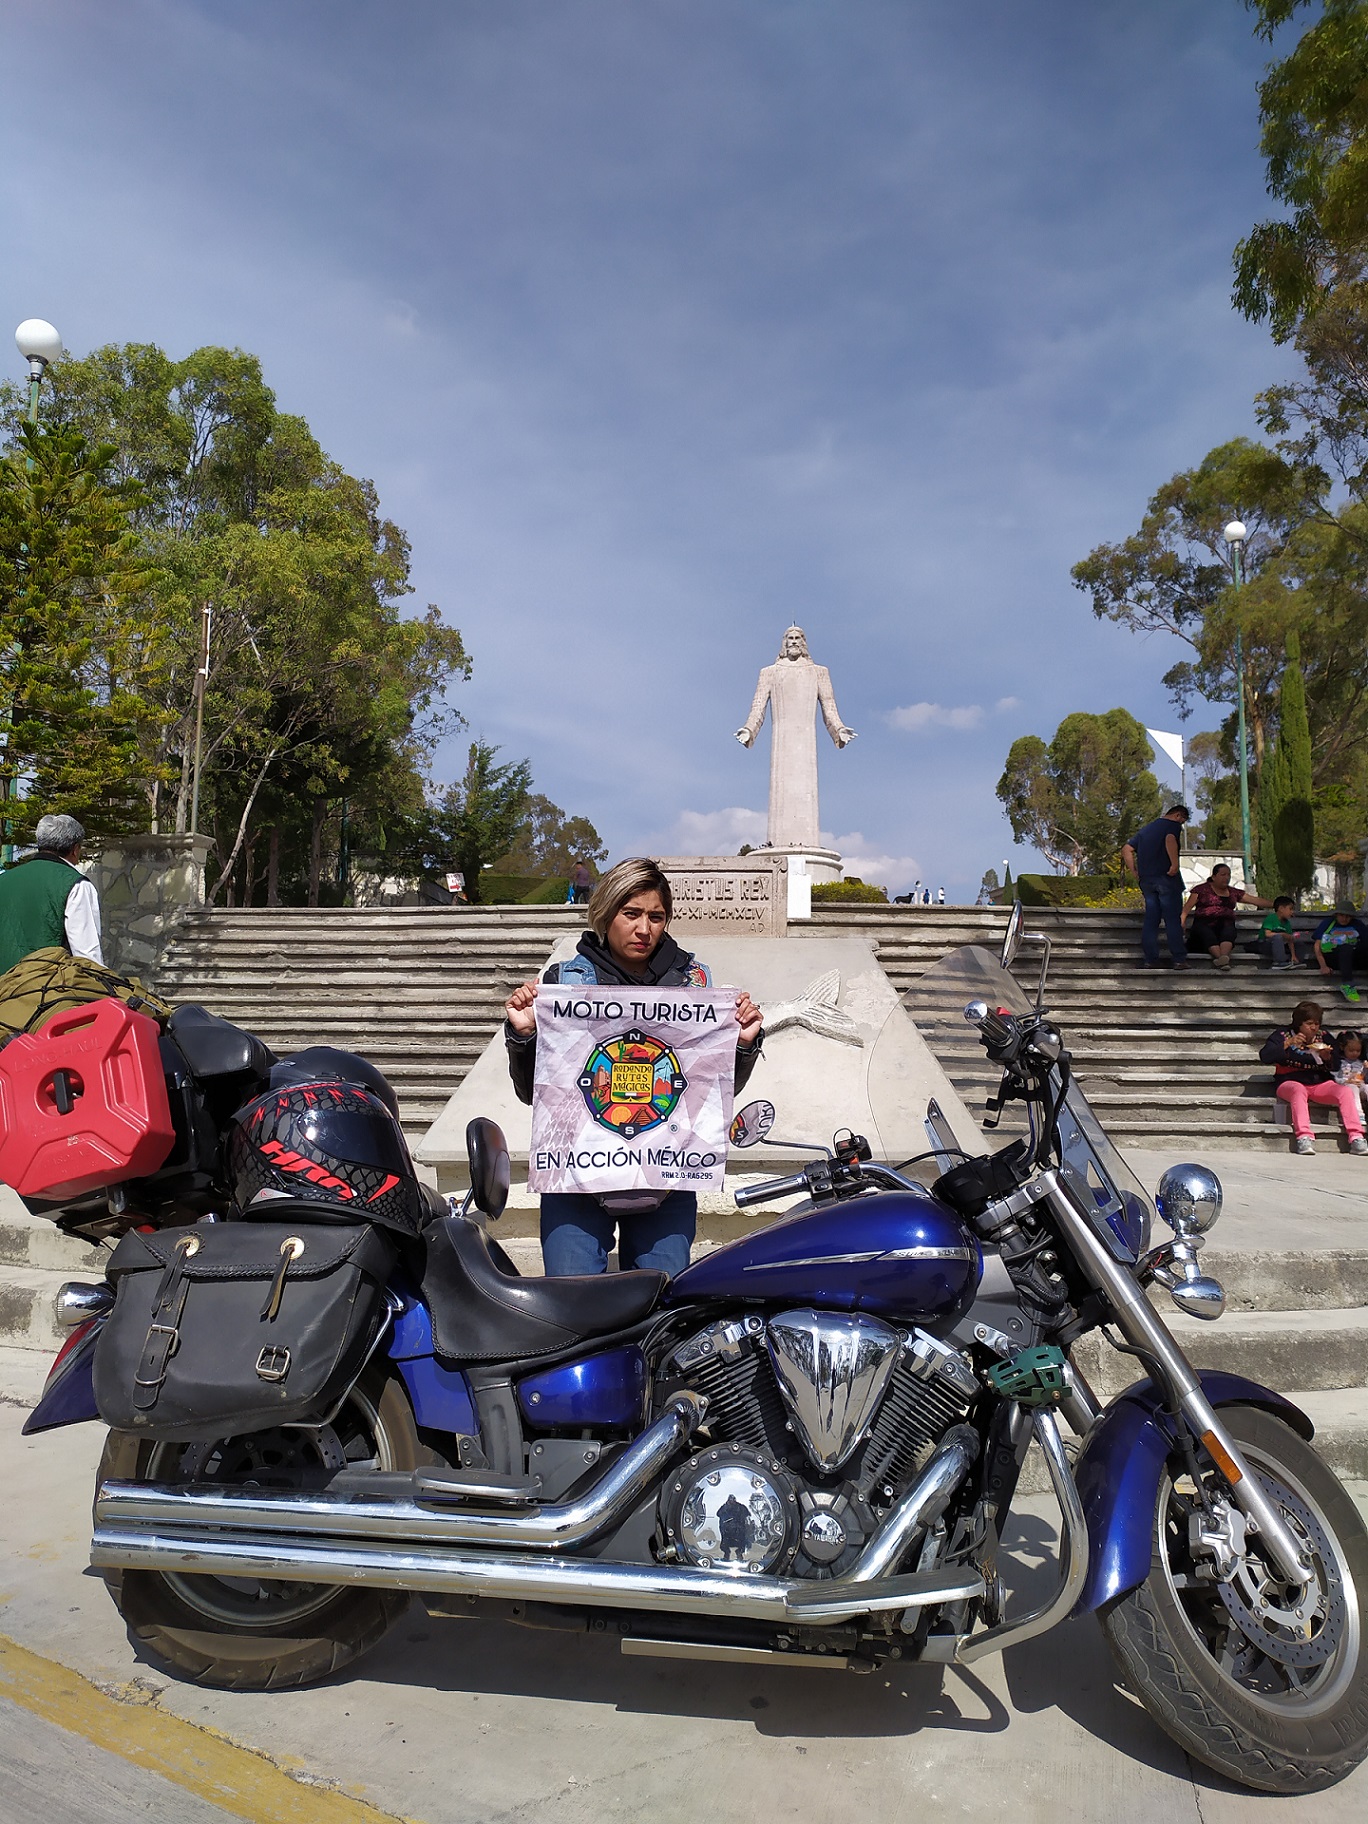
[1252, 1677]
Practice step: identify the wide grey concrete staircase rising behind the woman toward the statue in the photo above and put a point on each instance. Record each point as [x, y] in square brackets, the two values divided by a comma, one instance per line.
[1165, 1059]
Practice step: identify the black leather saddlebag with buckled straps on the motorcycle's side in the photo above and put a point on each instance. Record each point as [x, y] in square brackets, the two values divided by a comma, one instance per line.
[238, 1327]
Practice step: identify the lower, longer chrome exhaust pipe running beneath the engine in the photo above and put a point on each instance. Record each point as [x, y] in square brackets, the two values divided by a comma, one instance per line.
[524, 1579]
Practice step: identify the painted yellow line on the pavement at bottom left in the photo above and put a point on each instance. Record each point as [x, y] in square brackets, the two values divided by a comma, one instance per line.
[202, 1761]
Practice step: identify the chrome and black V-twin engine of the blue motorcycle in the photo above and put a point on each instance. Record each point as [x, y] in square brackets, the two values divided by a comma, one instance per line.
[816, 1422]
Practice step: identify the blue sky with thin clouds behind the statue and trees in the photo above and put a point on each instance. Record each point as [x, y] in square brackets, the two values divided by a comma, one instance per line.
[665, 322]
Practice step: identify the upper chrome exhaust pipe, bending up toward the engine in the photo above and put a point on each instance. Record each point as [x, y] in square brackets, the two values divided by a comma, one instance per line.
[559, 1528]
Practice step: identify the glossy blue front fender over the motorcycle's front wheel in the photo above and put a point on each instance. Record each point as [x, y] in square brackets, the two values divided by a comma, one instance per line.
[1121, 1467]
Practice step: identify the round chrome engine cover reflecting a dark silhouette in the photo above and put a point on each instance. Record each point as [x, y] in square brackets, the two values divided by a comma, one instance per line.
[731, 1509]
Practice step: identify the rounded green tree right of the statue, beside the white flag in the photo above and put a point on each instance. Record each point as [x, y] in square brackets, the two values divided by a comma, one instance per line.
[1084, 794]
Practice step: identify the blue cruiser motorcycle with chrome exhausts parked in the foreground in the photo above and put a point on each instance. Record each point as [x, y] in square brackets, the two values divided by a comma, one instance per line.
[803, 1451]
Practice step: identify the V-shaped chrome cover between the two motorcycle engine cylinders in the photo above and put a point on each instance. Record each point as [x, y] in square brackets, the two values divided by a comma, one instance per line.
[833, 1371]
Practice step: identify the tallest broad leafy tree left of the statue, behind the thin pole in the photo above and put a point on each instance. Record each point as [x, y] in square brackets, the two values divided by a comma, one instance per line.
[322, 698]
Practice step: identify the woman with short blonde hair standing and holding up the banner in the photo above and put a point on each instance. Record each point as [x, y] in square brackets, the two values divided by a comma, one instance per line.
[628, 946]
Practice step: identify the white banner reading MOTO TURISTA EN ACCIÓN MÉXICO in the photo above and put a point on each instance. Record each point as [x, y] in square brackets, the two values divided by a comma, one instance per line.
[634, 1088]
